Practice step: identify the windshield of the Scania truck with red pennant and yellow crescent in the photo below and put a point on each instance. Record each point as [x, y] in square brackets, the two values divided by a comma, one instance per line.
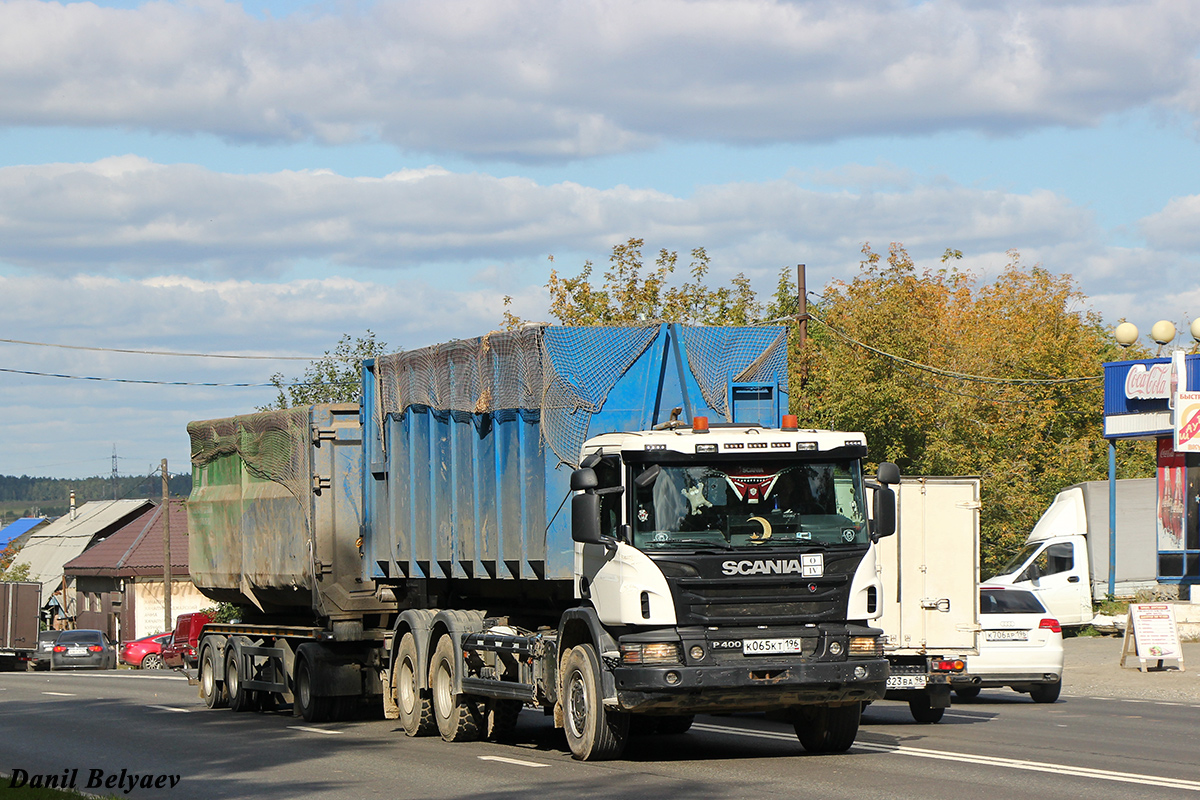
[752, 506]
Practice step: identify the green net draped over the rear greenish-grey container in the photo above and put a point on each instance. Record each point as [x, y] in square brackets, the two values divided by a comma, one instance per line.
[273, 446]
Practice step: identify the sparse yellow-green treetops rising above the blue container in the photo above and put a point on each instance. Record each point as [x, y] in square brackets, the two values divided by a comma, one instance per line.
[634, 293]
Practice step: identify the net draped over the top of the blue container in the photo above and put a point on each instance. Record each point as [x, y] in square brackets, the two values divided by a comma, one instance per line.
[566, 374]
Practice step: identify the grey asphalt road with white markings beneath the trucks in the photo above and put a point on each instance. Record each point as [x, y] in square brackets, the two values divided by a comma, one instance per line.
[1001, 745]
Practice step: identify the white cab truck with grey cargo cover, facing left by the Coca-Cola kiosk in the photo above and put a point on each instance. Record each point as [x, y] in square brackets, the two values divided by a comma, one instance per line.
[1066, 557]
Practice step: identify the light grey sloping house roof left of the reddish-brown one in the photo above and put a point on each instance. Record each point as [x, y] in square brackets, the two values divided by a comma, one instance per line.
[52, 546]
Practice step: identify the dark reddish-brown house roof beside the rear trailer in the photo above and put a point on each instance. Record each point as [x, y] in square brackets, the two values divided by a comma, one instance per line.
[136, 549]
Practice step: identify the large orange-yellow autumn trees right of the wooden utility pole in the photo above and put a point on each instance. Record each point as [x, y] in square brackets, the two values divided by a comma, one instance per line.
[951, 377]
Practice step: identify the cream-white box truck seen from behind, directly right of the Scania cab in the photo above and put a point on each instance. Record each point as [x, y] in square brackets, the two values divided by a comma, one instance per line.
[931, 598]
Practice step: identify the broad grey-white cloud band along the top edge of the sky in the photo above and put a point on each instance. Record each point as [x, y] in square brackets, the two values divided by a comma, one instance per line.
[543, 80]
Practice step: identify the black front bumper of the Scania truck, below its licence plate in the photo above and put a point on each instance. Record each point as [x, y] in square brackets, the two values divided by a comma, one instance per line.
[759, 688]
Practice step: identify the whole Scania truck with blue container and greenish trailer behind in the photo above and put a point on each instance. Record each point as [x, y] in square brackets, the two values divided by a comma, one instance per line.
[610, 525]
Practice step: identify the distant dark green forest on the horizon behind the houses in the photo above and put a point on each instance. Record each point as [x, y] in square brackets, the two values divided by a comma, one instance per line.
[51, 497]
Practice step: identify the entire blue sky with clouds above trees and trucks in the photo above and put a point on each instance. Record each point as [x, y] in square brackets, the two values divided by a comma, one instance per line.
[260, 179]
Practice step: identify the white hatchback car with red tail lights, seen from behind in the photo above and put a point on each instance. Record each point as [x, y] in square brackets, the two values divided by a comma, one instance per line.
[1021, 647]
